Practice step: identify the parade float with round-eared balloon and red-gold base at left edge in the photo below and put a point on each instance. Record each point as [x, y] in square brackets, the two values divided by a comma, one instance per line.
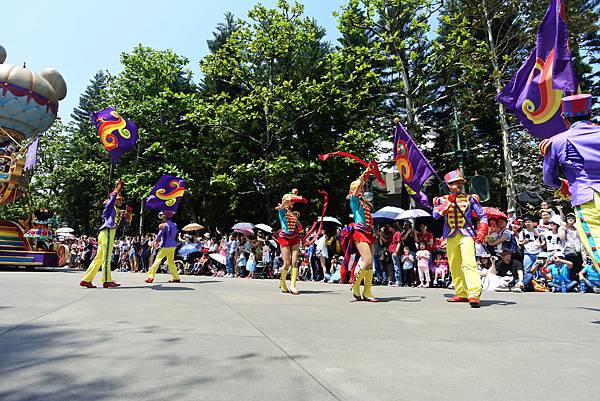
[28, 107]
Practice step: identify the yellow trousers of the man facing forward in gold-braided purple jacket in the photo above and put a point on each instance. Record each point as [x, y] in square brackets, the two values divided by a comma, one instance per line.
[463, 266]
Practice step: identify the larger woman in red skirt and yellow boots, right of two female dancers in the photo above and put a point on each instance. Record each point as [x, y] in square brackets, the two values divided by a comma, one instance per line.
[357, 239]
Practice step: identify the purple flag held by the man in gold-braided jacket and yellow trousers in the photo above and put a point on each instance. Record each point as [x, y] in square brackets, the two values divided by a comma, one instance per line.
[413, 166]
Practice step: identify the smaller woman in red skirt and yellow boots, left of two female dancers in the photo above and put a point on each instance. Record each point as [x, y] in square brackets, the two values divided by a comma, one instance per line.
[289, 238]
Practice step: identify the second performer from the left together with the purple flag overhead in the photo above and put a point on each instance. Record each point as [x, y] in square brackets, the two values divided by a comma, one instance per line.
[166, 197]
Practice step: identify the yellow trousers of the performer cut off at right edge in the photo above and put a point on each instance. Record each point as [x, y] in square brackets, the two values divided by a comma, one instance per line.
[588, 226]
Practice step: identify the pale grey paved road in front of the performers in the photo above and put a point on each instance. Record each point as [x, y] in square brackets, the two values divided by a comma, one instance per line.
[233, 339]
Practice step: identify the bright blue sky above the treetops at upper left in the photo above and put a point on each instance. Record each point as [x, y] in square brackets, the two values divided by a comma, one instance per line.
[81, 37]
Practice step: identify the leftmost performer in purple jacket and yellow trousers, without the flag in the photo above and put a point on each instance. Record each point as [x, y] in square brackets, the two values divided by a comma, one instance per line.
[111, 216]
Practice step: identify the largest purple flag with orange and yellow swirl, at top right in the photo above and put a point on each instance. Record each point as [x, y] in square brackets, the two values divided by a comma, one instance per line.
[535, 91]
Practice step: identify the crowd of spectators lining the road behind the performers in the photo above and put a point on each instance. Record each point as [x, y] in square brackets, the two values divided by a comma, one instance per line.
[538, 252]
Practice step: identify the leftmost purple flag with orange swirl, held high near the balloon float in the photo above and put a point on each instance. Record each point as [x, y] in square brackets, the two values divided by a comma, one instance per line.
[117, 134]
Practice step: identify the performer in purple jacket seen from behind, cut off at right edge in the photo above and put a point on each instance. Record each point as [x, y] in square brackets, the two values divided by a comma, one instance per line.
[576, 153]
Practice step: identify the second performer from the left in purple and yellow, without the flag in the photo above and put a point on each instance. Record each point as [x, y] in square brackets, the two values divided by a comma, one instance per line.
[167, 238]
